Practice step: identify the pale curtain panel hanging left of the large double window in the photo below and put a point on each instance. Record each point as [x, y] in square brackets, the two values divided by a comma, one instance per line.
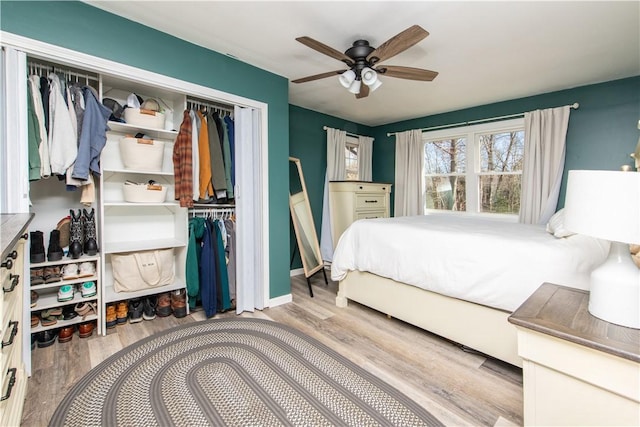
[408, 199]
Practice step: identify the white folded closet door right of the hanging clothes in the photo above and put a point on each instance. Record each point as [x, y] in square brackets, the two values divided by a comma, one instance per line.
[251, 210]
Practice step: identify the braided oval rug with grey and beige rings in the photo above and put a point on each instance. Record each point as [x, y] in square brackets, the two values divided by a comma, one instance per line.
[234, 372]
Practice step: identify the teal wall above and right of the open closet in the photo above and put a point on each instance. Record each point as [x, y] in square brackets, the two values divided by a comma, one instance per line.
[86, 29]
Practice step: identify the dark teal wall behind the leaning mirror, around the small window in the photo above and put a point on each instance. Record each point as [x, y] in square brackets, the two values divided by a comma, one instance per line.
[308, 142]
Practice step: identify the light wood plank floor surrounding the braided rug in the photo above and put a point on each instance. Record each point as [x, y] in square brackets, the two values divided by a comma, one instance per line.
[459, 387]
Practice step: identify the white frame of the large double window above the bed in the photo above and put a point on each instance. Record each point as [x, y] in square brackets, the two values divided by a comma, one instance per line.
[472, 166]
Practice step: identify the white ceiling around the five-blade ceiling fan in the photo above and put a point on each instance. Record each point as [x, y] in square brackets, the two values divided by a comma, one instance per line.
[485, 52]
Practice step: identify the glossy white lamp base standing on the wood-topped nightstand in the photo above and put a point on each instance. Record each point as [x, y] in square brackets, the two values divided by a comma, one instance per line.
[615, 289]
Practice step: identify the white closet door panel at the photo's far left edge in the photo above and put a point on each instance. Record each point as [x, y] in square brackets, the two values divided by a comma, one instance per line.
[14, 196]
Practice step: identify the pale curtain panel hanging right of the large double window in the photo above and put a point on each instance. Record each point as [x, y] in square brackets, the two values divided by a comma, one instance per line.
[544, 153]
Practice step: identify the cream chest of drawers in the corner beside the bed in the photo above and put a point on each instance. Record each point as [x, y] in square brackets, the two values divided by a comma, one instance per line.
[354, 200]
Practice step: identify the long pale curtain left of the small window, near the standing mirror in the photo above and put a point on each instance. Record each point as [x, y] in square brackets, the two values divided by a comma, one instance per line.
[336, 143]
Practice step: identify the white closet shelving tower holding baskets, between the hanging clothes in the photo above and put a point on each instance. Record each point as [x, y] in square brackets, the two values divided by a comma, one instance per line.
[129, 226]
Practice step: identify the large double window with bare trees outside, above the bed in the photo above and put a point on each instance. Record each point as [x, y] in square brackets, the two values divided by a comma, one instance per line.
[474, 169]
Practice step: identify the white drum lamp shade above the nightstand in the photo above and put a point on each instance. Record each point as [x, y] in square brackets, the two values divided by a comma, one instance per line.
[604, 204]
